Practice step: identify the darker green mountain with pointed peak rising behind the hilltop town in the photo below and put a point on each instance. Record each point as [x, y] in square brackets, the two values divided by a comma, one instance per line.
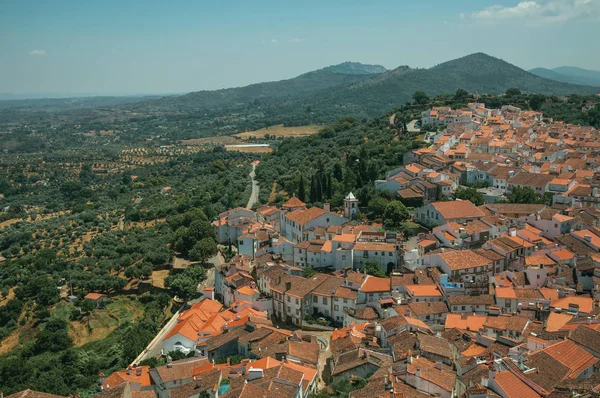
[478, 72]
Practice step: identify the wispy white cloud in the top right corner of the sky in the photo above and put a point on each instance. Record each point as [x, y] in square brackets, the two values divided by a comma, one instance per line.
[541, 11]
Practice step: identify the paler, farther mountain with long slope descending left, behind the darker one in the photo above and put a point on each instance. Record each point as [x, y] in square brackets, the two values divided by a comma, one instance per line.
[345, 73]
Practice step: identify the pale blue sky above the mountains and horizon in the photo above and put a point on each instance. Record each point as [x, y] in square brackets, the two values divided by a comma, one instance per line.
[127, 47]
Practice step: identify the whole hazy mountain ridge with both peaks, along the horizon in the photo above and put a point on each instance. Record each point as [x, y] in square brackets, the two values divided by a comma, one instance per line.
[362, 94]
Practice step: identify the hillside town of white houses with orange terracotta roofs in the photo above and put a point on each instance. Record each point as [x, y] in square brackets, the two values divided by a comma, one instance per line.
[491, 299]
